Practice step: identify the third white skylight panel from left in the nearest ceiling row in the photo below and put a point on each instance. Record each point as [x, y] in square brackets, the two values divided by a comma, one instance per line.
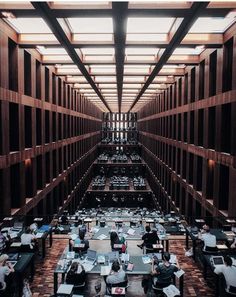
[149, 25]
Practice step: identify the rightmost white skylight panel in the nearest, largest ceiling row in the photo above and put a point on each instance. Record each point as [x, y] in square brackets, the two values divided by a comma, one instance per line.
[211, 25]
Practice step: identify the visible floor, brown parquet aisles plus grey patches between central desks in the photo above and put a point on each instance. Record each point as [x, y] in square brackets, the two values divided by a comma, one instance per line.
[194, 284]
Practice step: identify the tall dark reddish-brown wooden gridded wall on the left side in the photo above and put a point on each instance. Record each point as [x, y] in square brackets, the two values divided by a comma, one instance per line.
[48, 134]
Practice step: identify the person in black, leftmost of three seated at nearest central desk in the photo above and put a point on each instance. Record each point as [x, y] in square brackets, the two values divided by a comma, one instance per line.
[76, 275]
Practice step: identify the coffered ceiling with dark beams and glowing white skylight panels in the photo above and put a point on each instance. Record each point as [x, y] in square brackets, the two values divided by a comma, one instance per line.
[120, 55]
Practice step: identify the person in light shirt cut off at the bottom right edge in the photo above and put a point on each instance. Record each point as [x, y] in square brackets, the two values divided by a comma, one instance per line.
[229, 272]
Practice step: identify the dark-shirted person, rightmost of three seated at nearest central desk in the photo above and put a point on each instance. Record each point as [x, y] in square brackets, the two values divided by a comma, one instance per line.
[164, 272]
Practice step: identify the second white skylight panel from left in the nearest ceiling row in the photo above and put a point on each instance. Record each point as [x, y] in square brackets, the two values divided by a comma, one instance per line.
[91, 25]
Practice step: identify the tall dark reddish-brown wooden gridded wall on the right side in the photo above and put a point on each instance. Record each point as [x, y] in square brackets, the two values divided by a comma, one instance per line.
[188, 135]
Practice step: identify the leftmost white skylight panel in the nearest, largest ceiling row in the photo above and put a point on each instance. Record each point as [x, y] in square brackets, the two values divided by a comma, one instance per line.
[29, 25]
